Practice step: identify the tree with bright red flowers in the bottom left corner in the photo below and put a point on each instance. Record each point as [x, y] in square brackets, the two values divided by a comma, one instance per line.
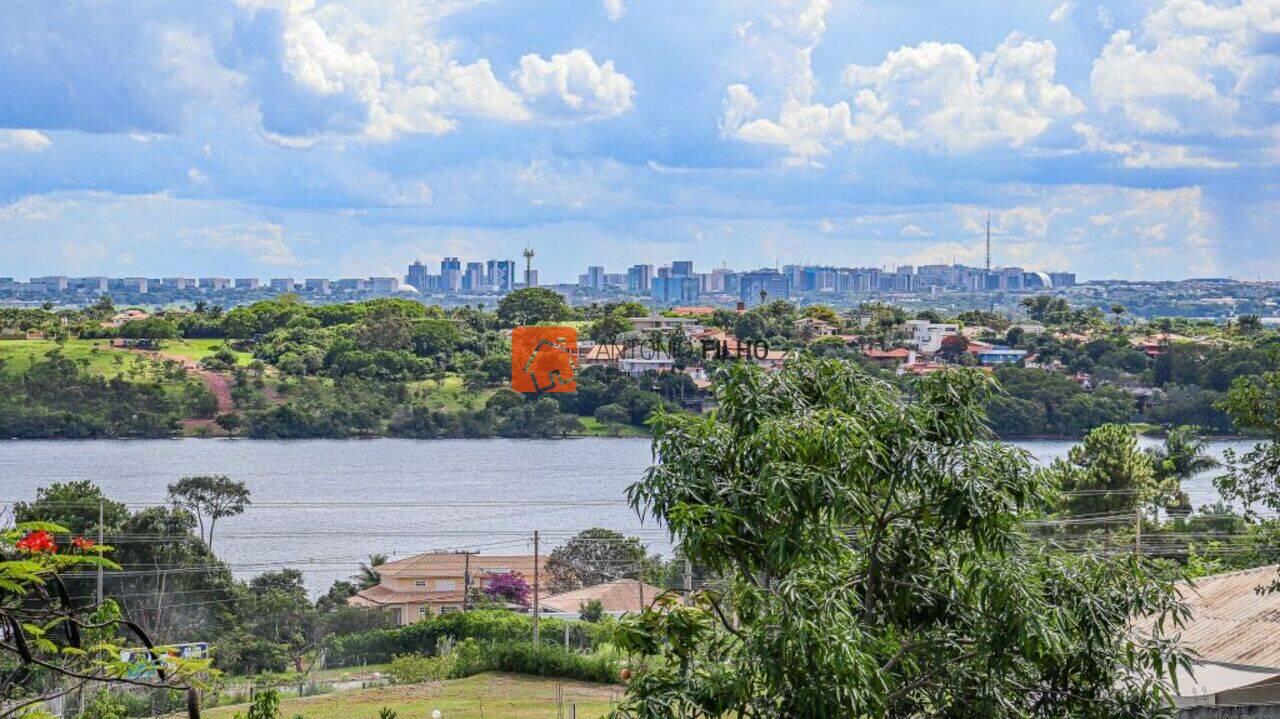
[57, 644]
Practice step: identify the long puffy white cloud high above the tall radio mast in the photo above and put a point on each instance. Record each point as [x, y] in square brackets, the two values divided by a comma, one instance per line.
[934, 95]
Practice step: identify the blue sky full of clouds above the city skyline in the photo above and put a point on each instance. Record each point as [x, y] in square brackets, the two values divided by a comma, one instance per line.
[1128, 140]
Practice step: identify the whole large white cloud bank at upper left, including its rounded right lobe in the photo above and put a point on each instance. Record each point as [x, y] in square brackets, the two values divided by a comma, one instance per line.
[383, 74]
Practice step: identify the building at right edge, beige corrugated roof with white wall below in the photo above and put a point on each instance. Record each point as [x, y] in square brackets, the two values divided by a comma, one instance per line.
[1232, 634]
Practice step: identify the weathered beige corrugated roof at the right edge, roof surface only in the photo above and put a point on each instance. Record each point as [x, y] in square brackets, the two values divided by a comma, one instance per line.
[1232, 622]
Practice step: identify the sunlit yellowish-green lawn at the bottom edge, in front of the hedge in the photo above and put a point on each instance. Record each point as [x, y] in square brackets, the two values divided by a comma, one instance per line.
[484, 697]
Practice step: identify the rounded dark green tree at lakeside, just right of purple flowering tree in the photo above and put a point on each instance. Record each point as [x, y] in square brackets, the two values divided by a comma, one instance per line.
[596, 557]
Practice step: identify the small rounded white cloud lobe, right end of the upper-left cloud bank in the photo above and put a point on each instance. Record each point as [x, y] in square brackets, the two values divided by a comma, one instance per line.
[574, 84]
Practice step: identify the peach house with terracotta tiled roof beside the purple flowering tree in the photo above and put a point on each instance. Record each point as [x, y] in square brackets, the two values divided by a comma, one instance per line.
[426, 585]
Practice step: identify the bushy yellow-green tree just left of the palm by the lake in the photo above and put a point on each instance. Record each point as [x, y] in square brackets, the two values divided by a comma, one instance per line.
[1107, 474]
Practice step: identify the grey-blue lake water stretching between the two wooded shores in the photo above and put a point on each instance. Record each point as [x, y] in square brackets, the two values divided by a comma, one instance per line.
[324, 506]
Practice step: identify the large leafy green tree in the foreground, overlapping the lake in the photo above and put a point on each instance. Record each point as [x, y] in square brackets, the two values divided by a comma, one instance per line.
[876, 565]
